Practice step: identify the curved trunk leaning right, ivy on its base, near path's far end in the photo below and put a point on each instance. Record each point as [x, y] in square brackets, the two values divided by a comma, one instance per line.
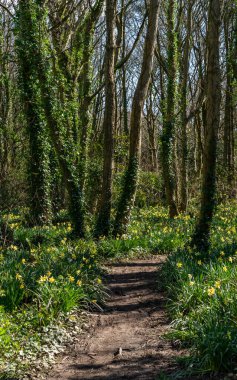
[129, 184]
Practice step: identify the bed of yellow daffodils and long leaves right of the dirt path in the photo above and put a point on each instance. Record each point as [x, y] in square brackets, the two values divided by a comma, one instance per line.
[202, 296]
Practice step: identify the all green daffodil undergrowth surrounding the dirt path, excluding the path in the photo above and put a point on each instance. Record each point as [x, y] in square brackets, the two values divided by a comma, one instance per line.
[47, 278]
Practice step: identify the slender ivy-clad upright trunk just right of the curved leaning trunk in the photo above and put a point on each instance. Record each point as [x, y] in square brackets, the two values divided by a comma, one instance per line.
[169, 113]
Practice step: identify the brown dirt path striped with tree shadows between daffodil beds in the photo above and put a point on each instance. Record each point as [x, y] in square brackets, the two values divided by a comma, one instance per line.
[124, 342]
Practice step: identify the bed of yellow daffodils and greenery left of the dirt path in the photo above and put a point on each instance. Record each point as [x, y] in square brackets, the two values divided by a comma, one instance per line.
[44, 277]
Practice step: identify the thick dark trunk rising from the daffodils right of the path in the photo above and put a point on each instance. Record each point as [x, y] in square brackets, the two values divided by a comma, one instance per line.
[201, 237]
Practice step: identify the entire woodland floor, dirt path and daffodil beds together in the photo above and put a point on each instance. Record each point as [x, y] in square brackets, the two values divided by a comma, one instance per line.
[52, 289]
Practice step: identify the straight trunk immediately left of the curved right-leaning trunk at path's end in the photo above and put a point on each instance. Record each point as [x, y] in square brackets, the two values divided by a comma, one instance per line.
[103, 221]
